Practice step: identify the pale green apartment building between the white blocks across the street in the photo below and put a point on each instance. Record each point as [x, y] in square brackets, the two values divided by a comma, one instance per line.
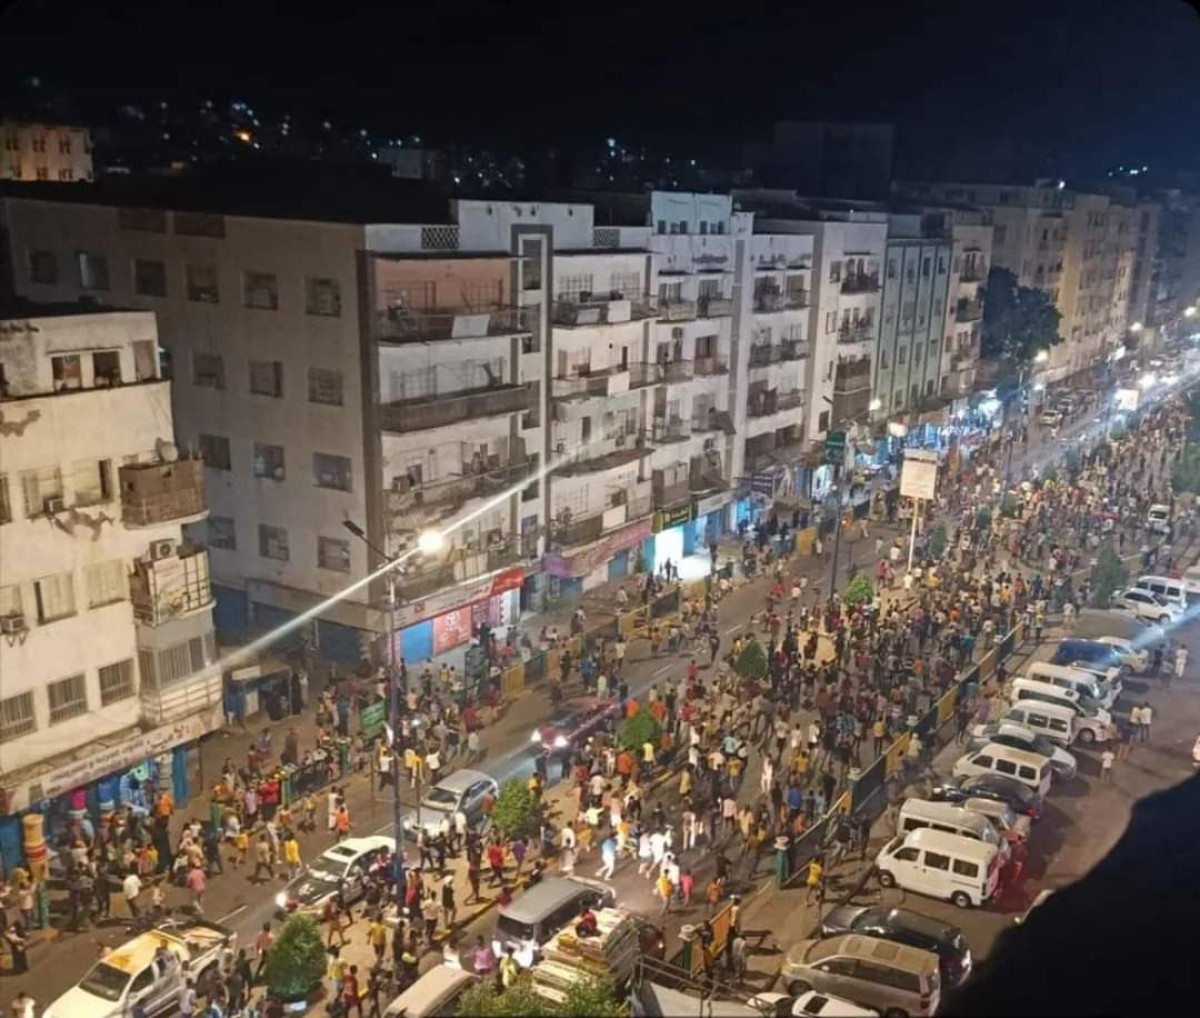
[916, 306]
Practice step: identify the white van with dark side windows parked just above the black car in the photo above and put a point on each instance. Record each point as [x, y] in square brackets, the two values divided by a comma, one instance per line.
[944, 866]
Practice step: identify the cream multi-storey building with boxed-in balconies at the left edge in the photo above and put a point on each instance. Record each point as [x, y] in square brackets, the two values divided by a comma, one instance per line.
[106, 610]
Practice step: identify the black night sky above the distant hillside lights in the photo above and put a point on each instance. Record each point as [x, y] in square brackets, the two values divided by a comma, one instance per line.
[1079, 85]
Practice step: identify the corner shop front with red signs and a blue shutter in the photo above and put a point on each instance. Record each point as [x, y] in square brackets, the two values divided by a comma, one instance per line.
[451, 619]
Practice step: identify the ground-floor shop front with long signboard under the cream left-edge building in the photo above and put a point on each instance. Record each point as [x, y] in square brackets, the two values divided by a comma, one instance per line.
[97, 781]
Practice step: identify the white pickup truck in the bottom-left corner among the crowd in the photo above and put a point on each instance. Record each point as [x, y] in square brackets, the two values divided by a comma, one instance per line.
[151, 969]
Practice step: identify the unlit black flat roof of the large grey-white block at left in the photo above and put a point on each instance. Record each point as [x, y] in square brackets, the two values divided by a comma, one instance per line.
[262, 189]
